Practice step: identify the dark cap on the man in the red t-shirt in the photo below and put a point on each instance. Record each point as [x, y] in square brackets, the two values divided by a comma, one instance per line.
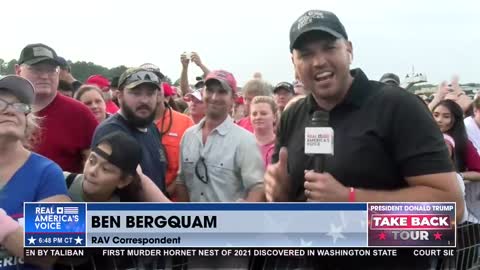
[36, 53]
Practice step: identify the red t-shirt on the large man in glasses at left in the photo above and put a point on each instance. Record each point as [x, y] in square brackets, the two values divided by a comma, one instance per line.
[67, 128]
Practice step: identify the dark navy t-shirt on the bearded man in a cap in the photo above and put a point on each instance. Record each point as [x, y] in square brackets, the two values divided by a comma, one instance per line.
[154, 162]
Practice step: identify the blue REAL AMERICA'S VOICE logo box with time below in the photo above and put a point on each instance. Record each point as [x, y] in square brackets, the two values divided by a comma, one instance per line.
[55, 224]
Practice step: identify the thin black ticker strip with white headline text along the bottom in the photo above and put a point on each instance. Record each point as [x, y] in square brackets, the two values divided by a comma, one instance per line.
[243, 252]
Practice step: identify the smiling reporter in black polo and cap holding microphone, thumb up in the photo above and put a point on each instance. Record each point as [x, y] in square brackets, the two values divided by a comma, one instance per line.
[375, 155]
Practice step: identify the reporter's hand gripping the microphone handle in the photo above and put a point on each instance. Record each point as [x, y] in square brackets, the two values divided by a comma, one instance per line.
[323, 187]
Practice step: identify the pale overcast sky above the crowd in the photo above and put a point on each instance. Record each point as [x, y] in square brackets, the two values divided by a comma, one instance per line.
[439, 38]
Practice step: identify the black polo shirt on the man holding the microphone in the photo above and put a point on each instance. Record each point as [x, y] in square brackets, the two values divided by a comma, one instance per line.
[382, 134]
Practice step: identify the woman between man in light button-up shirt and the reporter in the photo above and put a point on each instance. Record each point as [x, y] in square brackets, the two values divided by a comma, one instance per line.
[264, 115]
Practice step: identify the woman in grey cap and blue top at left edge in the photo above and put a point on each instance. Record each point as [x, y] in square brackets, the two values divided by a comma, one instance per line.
[24, 175]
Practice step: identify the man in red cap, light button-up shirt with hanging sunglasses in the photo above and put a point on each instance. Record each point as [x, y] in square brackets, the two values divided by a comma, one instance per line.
[220, 161]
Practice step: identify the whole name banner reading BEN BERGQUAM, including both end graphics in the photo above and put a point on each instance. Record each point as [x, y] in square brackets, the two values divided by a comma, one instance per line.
[204, 225]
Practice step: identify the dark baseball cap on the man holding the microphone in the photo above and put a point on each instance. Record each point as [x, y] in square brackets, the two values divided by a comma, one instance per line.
[316, 20]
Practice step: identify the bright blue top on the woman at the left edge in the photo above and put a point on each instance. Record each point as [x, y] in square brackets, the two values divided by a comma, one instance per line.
[38, 179]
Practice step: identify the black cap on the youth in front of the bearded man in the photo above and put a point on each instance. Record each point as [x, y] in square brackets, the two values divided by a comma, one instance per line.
[126, 151]
